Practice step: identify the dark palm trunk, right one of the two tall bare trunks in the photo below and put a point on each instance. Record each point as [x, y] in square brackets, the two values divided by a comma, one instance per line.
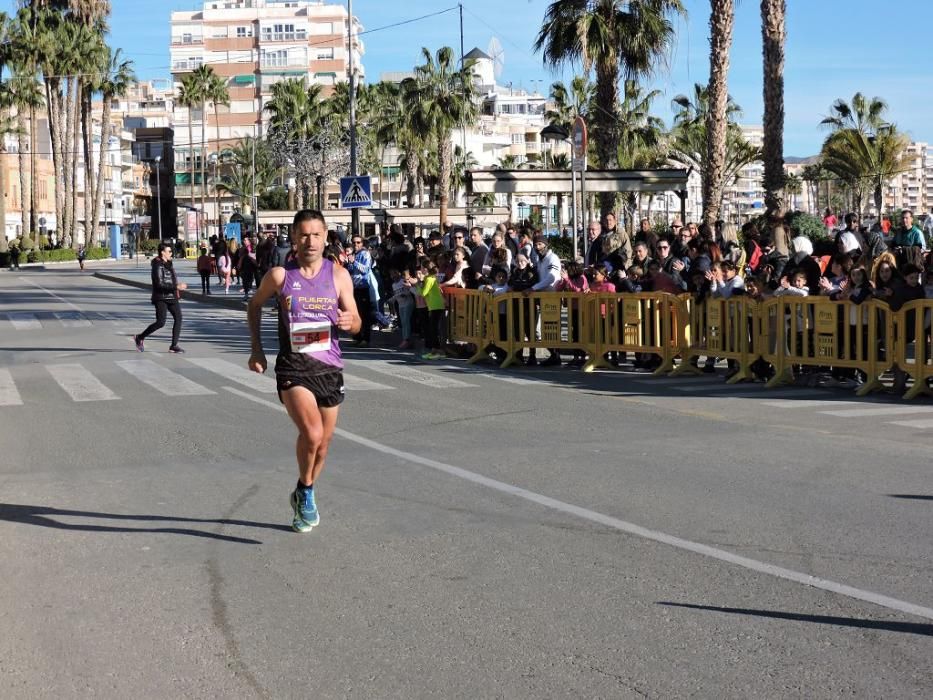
[773, 31]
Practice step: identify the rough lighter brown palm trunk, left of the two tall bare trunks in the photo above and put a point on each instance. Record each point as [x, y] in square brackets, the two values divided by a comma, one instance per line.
[721, 23]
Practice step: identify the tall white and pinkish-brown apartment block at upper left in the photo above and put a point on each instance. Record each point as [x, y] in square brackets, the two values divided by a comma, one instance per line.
[251, 45]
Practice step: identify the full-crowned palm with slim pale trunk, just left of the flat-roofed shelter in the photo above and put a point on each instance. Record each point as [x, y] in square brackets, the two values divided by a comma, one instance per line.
[440, 99]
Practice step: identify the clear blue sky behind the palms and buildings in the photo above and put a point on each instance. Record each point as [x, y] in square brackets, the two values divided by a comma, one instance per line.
[834, 48]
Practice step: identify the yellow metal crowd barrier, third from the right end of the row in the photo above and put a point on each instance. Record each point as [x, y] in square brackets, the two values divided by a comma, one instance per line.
[723, 328]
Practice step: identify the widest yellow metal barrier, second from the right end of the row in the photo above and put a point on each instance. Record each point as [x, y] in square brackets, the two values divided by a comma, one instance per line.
[819, 332]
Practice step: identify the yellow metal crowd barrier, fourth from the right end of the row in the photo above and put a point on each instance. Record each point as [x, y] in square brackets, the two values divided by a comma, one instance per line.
[651, 323]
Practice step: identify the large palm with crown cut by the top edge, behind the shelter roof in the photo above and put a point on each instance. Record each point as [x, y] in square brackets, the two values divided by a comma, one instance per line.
[613, 38]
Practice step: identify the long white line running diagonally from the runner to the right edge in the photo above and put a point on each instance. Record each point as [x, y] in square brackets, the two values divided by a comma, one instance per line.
[631, 528]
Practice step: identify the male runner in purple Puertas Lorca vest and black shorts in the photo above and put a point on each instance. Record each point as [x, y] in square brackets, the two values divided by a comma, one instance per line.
[315, 299]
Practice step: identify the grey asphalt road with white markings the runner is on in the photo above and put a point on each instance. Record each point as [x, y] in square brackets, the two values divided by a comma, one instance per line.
[484, 533]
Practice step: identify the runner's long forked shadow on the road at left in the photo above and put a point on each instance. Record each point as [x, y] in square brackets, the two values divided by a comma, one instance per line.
[44, 517]
